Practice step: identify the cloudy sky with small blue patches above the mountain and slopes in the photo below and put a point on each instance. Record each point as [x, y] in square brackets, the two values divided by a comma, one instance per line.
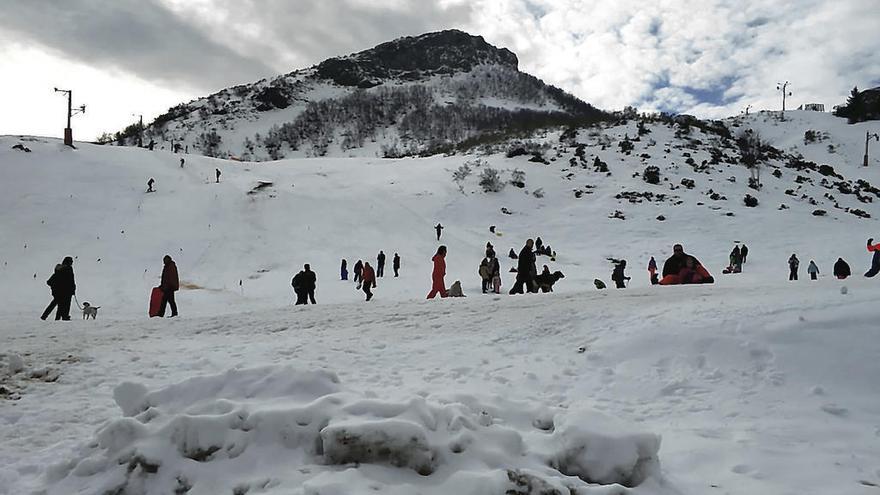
[709, 58]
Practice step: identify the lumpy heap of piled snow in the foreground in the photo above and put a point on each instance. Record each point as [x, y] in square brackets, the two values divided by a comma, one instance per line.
[282, 430]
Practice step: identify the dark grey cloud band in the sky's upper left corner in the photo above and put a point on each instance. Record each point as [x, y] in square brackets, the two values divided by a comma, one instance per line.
[141, 37]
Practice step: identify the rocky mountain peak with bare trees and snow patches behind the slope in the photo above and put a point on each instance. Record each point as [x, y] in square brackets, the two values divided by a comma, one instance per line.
[408, 96]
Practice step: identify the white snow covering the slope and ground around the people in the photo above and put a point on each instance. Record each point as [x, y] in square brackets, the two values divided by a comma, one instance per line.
[754, 384]
